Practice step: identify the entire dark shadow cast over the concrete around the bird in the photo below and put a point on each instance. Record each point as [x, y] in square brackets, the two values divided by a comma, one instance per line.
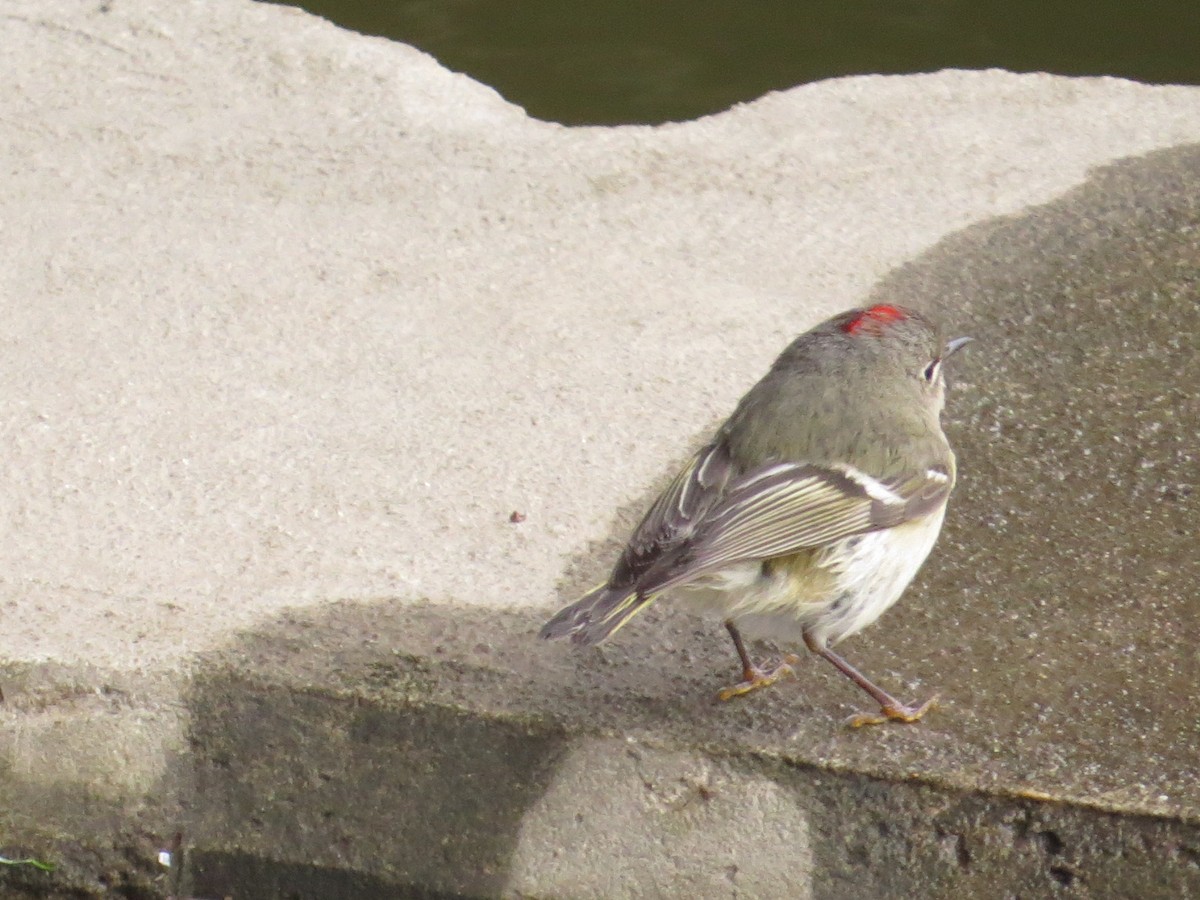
[1059, 619]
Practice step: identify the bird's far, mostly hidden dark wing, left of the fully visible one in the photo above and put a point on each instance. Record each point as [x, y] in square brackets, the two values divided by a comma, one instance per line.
[676, 514]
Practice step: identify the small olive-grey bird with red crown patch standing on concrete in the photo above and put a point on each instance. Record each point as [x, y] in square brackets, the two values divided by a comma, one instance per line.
[812, 509]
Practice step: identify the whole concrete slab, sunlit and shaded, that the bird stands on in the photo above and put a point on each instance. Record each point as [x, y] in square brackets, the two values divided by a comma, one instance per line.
[295, 320]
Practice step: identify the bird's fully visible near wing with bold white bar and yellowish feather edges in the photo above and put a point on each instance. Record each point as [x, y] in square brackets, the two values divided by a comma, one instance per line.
[785, 508]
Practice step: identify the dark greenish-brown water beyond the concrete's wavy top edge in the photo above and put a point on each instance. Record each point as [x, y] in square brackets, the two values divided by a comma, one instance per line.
[611, 62]
